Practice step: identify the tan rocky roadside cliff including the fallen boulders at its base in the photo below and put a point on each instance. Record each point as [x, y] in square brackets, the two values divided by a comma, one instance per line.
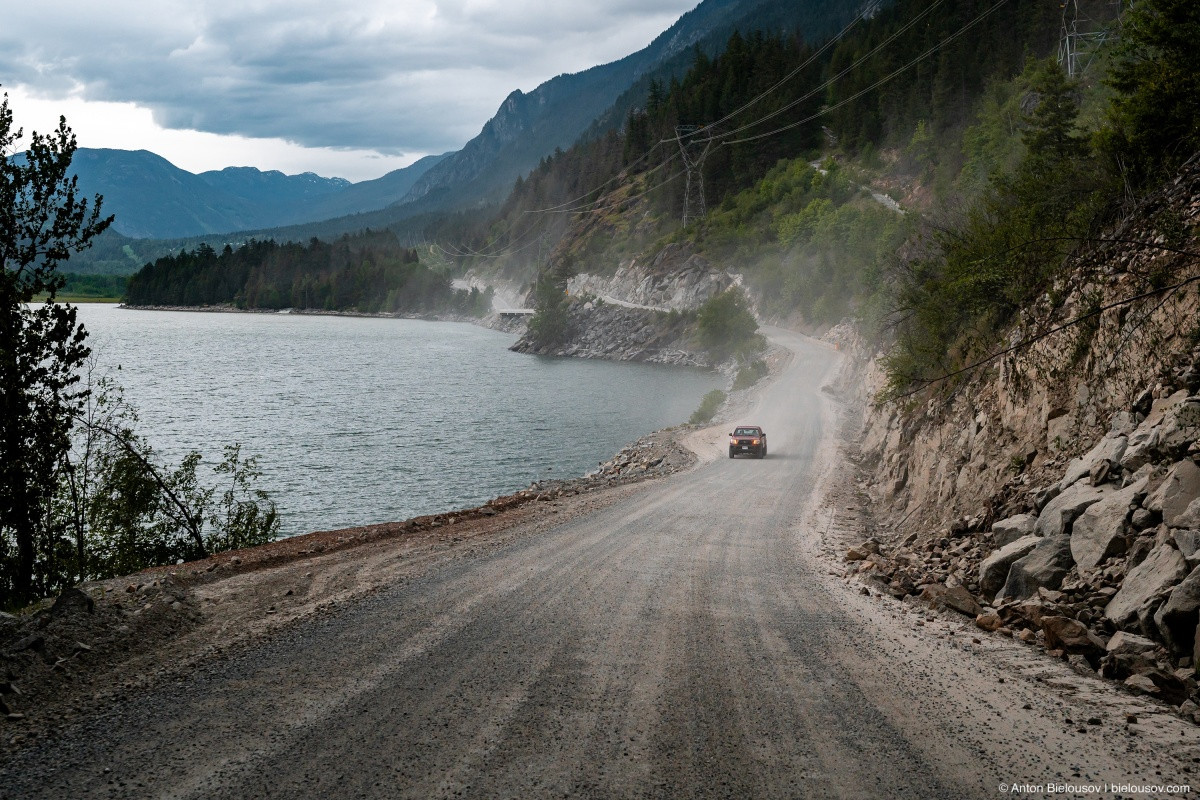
[1055, 495]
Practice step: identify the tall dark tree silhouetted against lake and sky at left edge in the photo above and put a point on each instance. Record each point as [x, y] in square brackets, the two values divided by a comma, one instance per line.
[43, 221]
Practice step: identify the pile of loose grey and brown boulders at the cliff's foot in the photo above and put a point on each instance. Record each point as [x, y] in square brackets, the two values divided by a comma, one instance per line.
[1102, 568]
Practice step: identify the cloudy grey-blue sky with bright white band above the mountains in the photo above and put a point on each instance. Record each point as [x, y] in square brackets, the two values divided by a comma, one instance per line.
[350, 89]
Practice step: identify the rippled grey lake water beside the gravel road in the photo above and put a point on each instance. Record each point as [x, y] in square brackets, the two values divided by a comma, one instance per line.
[373, 420]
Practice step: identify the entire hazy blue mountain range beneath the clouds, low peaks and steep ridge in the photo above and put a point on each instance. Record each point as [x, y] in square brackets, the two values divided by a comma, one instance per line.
[157, 201]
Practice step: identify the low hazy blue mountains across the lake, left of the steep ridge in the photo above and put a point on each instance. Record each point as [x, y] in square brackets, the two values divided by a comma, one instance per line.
[152, 199]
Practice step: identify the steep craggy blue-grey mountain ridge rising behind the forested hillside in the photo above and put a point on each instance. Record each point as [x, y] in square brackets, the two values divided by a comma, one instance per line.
[530, 127]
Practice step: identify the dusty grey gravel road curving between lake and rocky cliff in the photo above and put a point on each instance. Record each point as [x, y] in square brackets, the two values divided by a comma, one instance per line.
[688, 641]
